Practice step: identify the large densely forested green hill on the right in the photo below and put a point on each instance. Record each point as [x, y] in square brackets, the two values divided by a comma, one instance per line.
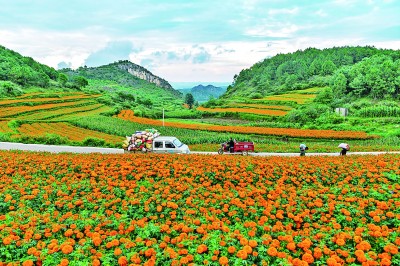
[348, 71]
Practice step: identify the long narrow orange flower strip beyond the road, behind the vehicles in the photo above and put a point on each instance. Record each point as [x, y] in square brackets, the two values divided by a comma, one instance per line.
[290, 132]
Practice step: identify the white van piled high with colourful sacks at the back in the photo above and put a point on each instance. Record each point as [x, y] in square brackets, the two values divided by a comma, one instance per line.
[151, 141]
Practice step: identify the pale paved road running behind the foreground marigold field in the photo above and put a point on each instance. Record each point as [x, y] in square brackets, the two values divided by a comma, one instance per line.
[78, 149]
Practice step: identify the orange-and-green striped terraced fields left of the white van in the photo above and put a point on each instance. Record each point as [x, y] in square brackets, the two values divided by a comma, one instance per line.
[36, 115]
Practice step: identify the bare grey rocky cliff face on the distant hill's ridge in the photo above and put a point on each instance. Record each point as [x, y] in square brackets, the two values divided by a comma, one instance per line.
[142, 73]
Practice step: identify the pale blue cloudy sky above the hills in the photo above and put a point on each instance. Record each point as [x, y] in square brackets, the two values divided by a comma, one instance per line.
[190, 41]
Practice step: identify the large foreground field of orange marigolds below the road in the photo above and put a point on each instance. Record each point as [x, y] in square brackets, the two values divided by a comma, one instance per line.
[131, 209]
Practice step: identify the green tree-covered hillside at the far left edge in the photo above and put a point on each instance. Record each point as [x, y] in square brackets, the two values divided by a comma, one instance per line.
[24, 71]
